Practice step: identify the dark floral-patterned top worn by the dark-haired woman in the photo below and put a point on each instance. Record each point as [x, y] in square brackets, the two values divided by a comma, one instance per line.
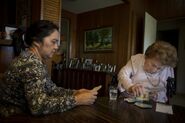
[28, 87]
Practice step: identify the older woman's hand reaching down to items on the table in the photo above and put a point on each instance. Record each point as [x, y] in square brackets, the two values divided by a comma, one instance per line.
[137, 89]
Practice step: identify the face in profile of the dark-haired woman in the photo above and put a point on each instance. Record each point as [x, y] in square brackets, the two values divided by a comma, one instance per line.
[49, 45]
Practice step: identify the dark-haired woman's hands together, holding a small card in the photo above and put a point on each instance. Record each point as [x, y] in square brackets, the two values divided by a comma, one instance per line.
[85, 96]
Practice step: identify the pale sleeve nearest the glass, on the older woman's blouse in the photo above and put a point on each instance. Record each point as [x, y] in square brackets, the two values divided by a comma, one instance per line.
[124, 76]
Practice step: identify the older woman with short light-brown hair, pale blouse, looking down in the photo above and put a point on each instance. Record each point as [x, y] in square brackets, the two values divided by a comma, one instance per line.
[148, 72]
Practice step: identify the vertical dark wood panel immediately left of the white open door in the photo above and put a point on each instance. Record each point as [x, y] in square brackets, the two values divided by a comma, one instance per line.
[137, 25]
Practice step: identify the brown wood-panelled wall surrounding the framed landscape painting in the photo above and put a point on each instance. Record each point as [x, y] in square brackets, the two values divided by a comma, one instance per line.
[117, 17]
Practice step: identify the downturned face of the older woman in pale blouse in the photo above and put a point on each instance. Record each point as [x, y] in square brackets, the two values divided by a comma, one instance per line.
[152, 65]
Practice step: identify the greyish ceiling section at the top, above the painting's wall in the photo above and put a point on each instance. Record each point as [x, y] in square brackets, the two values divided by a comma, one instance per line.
[81, 6]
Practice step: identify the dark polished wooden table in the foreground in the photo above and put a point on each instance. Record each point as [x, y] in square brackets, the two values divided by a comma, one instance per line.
[104, 111]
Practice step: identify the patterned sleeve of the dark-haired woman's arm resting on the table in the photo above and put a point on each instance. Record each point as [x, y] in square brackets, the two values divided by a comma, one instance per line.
[41, 100]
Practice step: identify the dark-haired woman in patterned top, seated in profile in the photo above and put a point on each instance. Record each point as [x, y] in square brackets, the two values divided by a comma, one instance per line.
[27, 86]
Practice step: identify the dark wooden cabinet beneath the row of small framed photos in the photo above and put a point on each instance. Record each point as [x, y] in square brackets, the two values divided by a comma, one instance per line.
[78, 78]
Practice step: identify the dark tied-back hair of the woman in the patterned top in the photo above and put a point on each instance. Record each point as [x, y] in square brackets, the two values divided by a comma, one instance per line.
[36, 32]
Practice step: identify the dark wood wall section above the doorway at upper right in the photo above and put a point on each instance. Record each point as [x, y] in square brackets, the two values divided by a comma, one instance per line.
[166, 9]
